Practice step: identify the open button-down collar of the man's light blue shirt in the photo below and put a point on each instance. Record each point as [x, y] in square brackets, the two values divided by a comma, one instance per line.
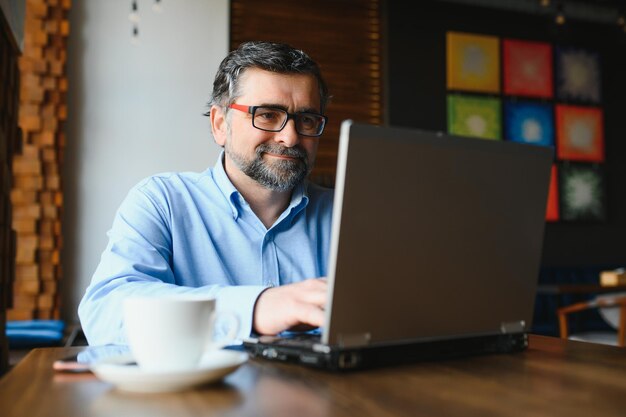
[299, 196]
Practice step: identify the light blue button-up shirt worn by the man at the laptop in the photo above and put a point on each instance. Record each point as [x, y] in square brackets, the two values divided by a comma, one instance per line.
[194, 233]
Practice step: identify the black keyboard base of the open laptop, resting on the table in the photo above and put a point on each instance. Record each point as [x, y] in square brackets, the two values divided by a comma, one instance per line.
[372, 357]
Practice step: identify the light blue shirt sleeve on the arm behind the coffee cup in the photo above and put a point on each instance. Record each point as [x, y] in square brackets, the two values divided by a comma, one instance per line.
[137, 261]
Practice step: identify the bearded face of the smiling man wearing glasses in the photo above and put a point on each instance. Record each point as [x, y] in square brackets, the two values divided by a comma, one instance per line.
[275, 160]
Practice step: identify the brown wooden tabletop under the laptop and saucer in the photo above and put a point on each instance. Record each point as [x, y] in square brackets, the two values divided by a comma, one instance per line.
[552, 378]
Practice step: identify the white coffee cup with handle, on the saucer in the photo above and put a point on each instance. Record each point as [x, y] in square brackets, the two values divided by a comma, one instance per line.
[172, 333]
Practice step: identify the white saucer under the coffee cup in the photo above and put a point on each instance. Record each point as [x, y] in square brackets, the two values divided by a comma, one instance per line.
[212, 367]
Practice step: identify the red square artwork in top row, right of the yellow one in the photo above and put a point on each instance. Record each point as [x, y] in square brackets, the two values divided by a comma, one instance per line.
[527, 68]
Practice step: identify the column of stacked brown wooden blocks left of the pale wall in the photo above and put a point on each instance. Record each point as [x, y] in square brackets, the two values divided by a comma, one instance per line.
[36, 195]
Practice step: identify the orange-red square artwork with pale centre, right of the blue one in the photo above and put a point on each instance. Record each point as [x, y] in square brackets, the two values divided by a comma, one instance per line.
[579, 133]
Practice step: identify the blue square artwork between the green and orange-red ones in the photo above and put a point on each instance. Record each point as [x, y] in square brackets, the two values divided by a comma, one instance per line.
[529, 123]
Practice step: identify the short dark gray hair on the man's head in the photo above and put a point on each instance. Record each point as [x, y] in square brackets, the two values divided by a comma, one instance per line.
[275, 57]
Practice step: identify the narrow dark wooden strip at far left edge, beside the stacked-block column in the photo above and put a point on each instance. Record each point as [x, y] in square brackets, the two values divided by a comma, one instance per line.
[9, 140]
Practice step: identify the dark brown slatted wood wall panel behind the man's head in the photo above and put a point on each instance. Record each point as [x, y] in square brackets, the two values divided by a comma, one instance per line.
[344, 37]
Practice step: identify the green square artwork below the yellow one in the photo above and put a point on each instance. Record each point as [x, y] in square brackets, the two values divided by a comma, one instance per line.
[478, 117]
